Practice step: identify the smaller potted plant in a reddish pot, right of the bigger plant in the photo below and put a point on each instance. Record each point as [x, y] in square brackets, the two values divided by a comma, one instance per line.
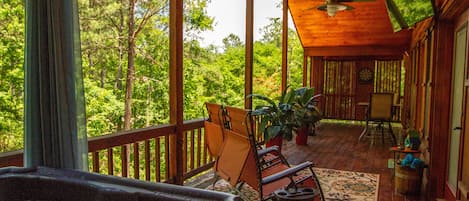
[306, 114]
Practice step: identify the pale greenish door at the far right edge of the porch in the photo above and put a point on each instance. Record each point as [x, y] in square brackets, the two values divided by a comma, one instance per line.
[457, 107]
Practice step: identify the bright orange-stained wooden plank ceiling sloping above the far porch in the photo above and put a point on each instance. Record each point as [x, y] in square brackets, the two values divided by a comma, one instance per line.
[363, 31]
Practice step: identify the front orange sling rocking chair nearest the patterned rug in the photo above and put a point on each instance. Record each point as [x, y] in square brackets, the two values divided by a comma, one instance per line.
[239, 163]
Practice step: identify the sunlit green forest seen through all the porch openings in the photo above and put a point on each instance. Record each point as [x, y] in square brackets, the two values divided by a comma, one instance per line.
[125, 61]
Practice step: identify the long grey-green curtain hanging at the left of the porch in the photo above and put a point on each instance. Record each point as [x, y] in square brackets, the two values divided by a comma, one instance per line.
[55, 129]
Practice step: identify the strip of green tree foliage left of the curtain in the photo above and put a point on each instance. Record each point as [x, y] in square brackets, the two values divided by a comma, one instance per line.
[11, 74]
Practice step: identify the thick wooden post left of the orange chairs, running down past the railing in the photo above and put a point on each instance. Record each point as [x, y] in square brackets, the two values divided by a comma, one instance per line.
[176, 89]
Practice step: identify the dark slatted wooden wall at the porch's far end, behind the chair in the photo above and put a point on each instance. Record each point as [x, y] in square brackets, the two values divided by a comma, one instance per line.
[337, 79]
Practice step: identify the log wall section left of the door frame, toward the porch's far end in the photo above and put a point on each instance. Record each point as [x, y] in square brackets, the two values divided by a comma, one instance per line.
[418, 83]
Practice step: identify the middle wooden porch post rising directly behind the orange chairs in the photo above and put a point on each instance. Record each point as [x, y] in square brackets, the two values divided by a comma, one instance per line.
[249, 53]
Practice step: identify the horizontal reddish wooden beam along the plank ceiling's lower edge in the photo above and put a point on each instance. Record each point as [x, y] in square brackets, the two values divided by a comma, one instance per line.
[355, 51]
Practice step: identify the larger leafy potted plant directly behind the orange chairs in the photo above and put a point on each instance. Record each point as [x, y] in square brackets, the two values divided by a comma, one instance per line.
[277, 118]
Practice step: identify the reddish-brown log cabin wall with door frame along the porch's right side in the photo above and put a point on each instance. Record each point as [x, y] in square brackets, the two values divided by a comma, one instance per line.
[427, 103]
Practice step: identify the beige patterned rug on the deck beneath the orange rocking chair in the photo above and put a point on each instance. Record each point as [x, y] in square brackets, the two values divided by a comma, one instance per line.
[337, 185]
